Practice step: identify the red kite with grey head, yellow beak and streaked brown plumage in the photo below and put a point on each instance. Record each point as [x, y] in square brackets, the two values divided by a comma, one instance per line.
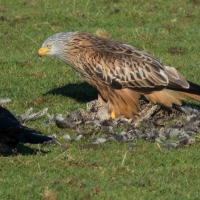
[120, 72]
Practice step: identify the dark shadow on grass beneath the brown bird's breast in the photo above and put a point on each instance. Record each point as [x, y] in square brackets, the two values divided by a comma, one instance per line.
[81, 92]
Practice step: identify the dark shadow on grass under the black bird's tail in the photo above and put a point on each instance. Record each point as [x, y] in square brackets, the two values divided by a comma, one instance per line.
[23, 150]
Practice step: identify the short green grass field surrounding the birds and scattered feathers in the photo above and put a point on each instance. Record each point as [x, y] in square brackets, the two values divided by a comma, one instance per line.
[169, 30]
